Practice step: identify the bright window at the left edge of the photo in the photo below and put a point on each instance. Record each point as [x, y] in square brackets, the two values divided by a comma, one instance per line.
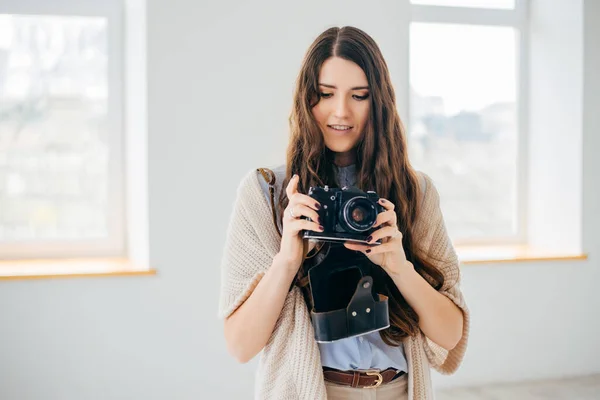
[61, 161]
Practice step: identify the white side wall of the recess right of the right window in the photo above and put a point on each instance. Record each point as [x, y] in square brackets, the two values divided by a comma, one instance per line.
[555, 125]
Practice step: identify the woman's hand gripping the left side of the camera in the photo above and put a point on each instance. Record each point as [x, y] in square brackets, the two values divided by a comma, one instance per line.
[299, 206]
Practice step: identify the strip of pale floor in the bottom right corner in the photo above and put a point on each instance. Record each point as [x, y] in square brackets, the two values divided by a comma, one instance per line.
[584, 388]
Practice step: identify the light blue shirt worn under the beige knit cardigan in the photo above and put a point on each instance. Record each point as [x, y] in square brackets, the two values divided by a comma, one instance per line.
[361, 352]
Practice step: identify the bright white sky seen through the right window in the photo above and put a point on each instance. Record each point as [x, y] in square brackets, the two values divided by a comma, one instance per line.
[469, 66]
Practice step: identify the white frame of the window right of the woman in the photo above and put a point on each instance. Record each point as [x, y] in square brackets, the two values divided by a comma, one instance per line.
[516, 18]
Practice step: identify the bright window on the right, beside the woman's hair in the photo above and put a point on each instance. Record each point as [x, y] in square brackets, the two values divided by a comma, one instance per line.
[464, 115]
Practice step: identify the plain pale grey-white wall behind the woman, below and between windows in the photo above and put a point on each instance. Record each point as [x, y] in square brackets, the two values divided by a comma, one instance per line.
[220, 83]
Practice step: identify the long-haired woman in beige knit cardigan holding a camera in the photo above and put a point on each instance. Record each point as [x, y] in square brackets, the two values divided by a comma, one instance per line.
[345, 130]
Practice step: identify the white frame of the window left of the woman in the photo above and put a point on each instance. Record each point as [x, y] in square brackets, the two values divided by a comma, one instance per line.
[115, 244]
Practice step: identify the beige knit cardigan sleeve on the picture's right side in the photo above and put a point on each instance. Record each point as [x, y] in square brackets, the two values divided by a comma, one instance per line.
[435, 245]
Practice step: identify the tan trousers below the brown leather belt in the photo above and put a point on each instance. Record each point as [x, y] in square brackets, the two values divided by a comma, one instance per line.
[395, 390]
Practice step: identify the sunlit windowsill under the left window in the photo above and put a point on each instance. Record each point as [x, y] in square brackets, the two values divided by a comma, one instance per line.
[70, 268]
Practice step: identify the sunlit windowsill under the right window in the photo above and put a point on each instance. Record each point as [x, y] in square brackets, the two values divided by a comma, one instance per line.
[512, 254]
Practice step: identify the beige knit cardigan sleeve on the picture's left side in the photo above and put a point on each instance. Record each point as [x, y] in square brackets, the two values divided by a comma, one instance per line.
[245, 258]
